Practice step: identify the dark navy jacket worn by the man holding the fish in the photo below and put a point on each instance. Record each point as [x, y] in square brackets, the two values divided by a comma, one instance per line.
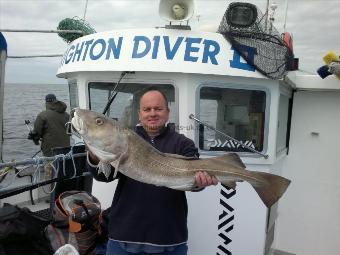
[145, 213]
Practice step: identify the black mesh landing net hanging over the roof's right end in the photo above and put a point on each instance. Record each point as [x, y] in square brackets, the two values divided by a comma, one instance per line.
[272, 56]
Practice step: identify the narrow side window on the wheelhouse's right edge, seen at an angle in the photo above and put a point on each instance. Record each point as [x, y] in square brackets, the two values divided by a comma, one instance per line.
[283, 123]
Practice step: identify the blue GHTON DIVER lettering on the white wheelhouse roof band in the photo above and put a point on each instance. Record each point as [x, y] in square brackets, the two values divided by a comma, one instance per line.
[189, 49]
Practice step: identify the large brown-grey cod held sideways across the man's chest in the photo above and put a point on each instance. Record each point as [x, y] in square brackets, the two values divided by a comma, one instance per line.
[132, 156]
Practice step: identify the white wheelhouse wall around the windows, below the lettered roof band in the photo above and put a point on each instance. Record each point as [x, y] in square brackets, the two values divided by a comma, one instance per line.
[204, 207]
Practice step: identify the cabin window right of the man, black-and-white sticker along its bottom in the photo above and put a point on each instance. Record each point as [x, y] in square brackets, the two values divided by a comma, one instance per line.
[239, 113]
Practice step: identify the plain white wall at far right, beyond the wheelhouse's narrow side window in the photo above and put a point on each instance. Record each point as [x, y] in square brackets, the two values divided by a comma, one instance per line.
[309, 218]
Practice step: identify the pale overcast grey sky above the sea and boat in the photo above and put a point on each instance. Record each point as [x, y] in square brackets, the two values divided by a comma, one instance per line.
[314, 25]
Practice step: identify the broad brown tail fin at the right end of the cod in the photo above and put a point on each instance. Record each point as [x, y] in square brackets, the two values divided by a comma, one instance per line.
[271, 189]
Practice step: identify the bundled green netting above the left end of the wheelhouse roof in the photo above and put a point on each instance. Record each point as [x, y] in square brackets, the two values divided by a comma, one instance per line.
[74, 24]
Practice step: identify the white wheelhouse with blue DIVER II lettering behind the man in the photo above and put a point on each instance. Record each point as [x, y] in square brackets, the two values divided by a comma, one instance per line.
[201, 74]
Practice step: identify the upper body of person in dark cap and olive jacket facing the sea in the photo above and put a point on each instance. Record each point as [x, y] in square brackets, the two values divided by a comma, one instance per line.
[49, 126]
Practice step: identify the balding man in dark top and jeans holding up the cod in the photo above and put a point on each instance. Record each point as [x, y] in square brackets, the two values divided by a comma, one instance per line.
[144, 218]
